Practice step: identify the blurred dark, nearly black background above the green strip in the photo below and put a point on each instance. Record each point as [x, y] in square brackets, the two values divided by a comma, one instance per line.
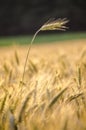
[26, 16]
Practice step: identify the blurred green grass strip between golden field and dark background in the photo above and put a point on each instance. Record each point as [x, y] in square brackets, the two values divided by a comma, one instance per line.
[12, 40]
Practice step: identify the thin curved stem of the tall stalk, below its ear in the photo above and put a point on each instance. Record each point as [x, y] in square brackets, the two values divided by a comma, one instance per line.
[28, 52]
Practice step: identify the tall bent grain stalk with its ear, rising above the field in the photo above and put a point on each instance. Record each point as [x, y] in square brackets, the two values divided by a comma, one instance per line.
[58, 24]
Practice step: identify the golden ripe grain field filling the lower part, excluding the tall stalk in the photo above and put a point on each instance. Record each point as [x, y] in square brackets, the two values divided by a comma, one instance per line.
[53, 94]
